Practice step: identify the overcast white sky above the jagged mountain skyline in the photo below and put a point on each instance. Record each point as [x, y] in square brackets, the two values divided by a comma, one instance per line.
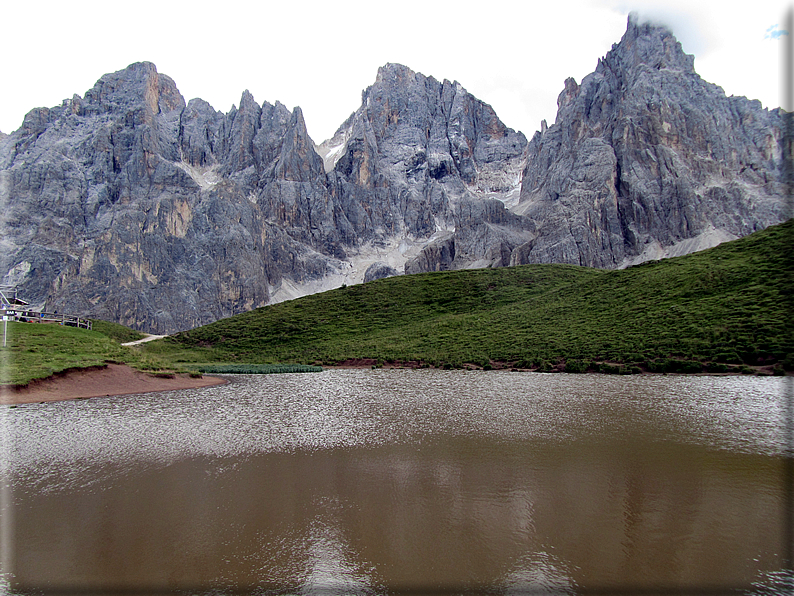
[321, 55]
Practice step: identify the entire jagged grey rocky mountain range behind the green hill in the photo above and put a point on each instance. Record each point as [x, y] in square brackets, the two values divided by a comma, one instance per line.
[130, 205]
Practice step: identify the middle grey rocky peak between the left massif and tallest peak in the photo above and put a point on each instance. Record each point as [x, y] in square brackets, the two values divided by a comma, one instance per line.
[413, 149]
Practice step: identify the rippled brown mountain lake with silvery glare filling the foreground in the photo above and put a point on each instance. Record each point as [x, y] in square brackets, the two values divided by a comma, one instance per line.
[363, 482]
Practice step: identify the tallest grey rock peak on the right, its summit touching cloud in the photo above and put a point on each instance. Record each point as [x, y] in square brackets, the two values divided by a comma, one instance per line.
[645, 158]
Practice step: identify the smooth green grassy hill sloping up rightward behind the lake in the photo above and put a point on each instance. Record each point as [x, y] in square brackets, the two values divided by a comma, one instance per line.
[725, 307]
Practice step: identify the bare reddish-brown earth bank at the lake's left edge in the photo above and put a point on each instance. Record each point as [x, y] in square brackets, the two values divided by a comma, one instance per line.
[103, 381]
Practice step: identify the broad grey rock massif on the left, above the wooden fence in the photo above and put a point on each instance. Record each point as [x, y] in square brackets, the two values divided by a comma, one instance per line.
[129, 206]
